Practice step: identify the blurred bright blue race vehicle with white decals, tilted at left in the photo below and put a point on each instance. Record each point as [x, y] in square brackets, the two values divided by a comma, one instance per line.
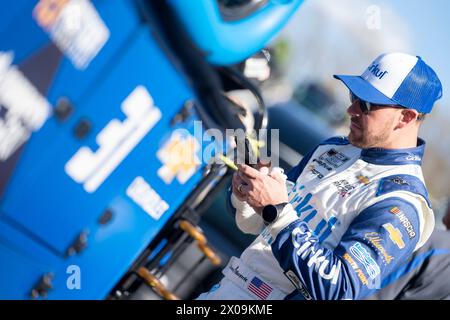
[99, 101]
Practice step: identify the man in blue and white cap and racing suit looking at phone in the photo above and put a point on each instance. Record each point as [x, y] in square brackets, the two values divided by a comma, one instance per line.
[356, 207]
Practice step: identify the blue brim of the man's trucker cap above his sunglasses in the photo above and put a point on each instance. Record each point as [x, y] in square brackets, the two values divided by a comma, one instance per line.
[364, 90]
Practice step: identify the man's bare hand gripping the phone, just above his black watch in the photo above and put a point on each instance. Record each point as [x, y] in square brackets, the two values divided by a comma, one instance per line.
[259, 188]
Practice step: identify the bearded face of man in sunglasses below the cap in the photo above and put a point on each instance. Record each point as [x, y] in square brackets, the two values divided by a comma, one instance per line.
[373, 129]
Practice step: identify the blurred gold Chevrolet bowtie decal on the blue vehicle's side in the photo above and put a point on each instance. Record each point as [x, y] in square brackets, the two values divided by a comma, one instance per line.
[179, 158]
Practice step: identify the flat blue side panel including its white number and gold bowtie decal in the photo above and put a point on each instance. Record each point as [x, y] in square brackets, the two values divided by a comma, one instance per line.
[127, 163]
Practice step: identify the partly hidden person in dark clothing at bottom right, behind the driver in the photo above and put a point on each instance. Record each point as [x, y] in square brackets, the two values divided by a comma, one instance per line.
[425, 276]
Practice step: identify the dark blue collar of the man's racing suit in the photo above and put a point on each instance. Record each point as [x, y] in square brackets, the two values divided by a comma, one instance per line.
[382, 156]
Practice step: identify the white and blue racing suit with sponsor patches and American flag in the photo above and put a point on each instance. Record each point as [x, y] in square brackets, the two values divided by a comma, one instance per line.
[353, 216]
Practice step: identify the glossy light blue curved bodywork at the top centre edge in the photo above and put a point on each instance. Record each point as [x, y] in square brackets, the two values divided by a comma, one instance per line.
[227, 42]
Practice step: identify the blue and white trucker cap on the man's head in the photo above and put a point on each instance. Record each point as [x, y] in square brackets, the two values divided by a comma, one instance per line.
[397, 79]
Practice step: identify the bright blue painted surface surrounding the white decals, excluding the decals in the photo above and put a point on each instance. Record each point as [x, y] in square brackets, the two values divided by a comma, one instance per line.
[43, 202]
